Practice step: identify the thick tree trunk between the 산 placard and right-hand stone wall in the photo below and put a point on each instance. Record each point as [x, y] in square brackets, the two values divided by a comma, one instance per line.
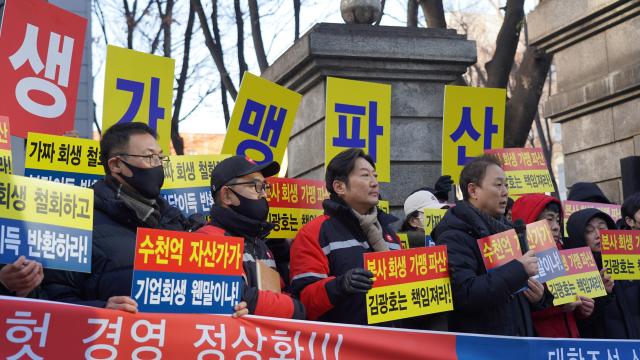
[523, 105]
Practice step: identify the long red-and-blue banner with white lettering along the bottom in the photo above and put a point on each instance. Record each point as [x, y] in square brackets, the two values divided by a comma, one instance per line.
[37, 328]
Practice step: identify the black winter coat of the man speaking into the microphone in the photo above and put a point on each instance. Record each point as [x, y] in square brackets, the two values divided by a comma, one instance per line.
[483, 303]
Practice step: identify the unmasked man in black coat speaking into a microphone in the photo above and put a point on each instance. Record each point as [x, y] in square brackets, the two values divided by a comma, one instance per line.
[486, 302]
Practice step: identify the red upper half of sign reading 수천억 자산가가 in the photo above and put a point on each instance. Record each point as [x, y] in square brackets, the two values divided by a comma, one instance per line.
[182, 252]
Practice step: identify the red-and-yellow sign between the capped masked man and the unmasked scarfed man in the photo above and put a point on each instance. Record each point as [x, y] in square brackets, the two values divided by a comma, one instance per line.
[293, 203]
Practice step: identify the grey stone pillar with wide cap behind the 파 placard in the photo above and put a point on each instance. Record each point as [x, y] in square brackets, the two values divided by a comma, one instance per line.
[417, 62]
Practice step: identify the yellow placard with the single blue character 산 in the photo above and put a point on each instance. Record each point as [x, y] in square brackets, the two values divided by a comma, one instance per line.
[473, 121]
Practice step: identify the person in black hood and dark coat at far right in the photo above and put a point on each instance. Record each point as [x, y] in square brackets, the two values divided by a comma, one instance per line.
[616, 316]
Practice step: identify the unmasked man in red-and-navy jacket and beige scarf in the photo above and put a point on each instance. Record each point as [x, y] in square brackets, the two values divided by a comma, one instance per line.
[327, 263]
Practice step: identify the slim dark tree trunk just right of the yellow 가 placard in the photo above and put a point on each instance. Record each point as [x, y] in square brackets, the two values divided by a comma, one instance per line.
[176, 139]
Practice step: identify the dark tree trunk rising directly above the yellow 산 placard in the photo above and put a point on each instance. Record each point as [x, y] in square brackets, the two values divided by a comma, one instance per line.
[499, 67]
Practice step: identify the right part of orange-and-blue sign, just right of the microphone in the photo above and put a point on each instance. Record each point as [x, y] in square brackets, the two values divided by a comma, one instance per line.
[540, 239]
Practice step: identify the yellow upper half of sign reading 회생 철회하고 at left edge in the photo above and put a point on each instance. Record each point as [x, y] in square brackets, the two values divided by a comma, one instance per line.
[40, 201]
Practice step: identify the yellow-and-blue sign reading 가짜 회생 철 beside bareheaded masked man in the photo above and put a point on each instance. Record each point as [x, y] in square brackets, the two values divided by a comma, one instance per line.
[63, 159]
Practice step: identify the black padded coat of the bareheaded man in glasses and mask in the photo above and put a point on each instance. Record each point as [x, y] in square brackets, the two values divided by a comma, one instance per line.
[113, 249]
